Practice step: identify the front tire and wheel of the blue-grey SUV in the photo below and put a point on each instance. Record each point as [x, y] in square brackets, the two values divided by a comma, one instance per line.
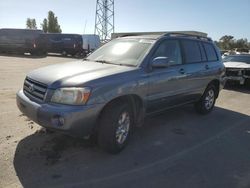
[115, 127]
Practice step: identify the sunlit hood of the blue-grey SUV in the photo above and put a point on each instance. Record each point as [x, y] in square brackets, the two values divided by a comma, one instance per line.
[74, 73]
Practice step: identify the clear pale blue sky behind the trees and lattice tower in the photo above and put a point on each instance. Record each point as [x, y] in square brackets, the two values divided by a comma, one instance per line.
[216, 18]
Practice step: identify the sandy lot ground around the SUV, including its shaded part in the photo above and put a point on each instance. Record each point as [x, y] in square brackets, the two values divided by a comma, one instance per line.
[175, 149]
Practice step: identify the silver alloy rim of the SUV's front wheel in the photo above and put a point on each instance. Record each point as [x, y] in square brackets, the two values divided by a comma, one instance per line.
[123, 127]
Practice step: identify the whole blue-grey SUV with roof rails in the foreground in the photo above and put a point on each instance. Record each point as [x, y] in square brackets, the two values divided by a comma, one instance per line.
[120, 83]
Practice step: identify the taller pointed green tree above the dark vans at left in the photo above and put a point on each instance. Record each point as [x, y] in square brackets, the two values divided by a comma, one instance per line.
[50, 25]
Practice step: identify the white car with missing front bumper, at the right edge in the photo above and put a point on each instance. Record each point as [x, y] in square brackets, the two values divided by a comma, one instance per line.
[237, 67]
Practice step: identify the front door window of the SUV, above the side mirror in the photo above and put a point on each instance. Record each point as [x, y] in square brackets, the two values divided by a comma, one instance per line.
[171, 50]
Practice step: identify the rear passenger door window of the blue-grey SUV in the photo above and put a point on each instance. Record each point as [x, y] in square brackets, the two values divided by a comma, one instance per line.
[192, 51]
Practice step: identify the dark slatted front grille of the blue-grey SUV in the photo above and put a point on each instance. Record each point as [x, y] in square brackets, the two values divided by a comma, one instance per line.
[34, 89]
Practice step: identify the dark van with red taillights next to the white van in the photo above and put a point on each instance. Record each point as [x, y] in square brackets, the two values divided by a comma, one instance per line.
[64, 43]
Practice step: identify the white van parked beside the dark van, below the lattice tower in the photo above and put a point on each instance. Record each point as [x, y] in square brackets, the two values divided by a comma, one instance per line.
[90, 42]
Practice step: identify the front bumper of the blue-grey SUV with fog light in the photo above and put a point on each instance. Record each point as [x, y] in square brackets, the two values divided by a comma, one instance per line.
[74, 120]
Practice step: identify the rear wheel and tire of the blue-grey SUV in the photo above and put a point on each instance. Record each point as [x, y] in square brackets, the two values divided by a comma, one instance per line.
[206, 103]
